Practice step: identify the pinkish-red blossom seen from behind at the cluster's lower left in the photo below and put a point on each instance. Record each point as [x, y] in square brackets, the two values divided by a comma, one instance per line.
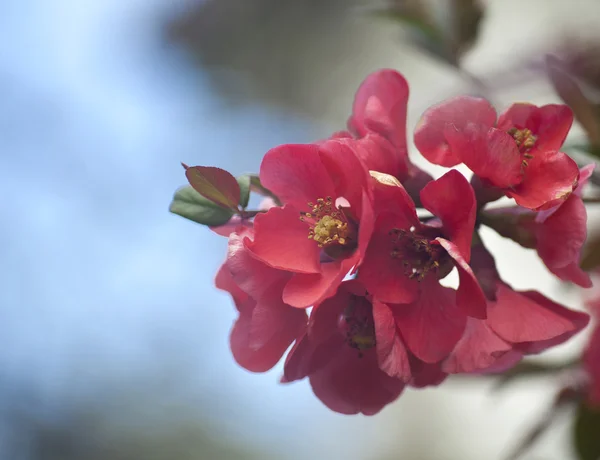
[266, 326]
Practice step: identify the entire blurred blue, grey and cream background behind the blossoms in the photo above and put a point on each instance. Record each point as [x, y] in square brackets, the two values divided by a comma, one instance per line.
[114, 340]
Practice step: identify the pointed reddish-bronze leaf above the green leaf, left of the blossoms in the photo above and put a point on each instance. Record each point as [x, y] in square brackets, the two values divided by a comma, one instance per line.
[215, 184]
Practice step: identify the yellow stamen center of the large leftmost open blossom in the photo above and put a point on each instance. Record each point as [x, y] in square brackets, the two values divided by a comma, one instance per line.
[328, 224]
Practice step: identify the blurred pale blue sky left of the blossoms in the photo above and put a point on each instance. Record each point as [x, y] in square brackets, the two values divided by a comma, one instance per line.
[101, 285]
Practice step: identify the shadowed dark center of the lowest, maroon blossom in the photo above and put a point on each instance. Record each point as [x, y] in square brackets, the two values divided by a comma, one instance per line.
[356, 323]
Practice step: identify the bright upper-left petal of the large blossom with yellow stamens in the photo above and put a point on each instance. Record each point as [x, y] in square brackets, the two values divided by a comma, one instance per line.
[296, 174]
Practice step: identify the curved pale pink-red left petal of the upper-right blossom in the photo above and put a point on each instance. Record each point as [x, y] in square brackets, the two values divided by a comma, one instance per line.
[458, 111]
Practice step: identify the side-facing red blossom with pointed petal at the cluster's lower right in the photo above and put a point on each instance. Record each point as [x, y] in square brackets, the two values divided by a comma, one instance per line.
[517, 324]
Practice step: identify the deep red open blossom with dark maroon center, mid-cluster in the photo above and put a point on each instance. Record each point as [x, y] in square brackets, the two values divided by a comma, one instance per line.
[406, 259]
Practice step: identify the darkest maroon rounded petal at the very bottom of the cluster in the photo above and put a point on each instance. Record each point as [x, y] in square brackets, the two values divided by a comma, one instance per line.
[351, 384]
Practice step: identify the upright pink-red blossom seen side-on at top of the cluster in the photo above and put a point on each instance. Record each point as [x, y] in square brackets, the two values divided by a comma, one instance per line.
[379, 112]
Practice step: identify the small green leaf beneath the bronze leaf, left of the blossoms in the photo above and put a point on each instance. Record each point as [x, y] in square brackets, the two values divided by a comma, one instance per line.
[188, 203]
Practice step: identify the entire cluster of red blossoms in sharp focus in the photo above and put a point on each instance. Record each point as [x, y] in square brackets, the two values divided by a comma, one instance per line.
[339, 265]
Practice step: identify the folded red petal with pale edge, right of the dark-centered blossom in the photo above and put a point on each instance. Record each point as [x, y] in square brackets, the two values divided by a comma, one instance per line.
[469, 295]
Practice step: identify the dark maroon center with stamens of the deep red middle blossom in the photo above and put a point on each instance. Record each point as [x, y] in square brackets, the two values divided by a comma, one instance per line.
[419, 255]
